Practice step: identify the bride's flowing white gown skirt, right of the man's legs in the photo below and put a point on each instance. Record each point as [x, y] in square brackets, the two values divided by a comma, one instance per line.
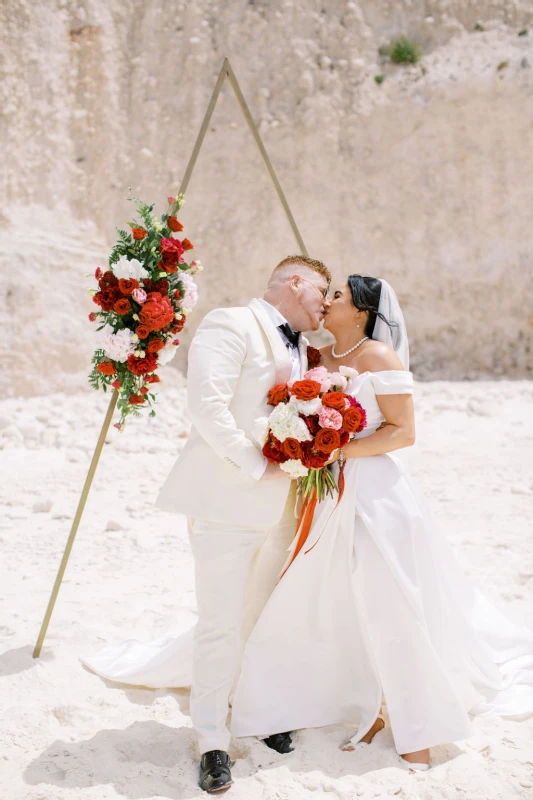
[379, 608]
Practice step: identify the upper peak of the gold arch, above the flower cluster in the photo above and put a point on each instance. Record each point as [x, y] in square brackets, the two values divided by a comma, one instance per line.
[227, 72]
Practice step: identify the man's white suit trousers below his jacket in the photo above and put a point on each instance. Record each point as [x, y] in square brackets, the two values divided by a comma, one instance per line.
[236, 570]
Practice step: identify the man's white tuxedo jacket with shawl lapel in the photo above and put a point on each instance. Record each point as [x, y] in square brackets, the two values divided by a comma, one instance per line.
[235, 357]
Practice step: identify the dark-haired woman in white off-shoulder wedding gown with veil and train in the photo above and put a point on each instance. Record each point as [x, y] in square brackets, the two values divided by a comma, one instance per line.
[374, 610]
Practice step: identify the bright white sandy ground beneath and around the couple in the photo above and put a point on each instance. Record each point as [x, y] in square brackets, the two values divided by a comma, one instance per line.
[66, 734]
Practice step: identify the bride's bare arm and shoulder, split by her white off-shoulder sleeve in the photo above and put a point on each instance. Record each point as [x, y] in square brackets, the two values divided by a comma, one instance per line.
[398, 430]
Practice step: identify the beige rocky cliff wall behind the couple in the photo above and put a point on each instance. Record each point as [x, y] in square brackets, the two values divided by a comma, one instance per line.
[425, 178]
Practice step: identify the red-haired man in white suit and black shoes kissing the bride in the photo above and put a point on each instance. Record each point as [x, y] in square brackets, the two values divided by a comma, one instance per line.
[240, 508]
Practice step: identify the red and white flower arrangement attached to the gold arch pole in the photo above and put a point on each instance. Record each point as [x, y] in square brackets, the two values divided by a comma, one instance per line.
[143, 298]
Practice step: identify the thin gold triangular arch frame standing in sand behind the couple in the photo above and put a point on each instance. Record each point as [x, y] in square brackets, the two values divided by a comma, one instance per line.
[225, 72]
